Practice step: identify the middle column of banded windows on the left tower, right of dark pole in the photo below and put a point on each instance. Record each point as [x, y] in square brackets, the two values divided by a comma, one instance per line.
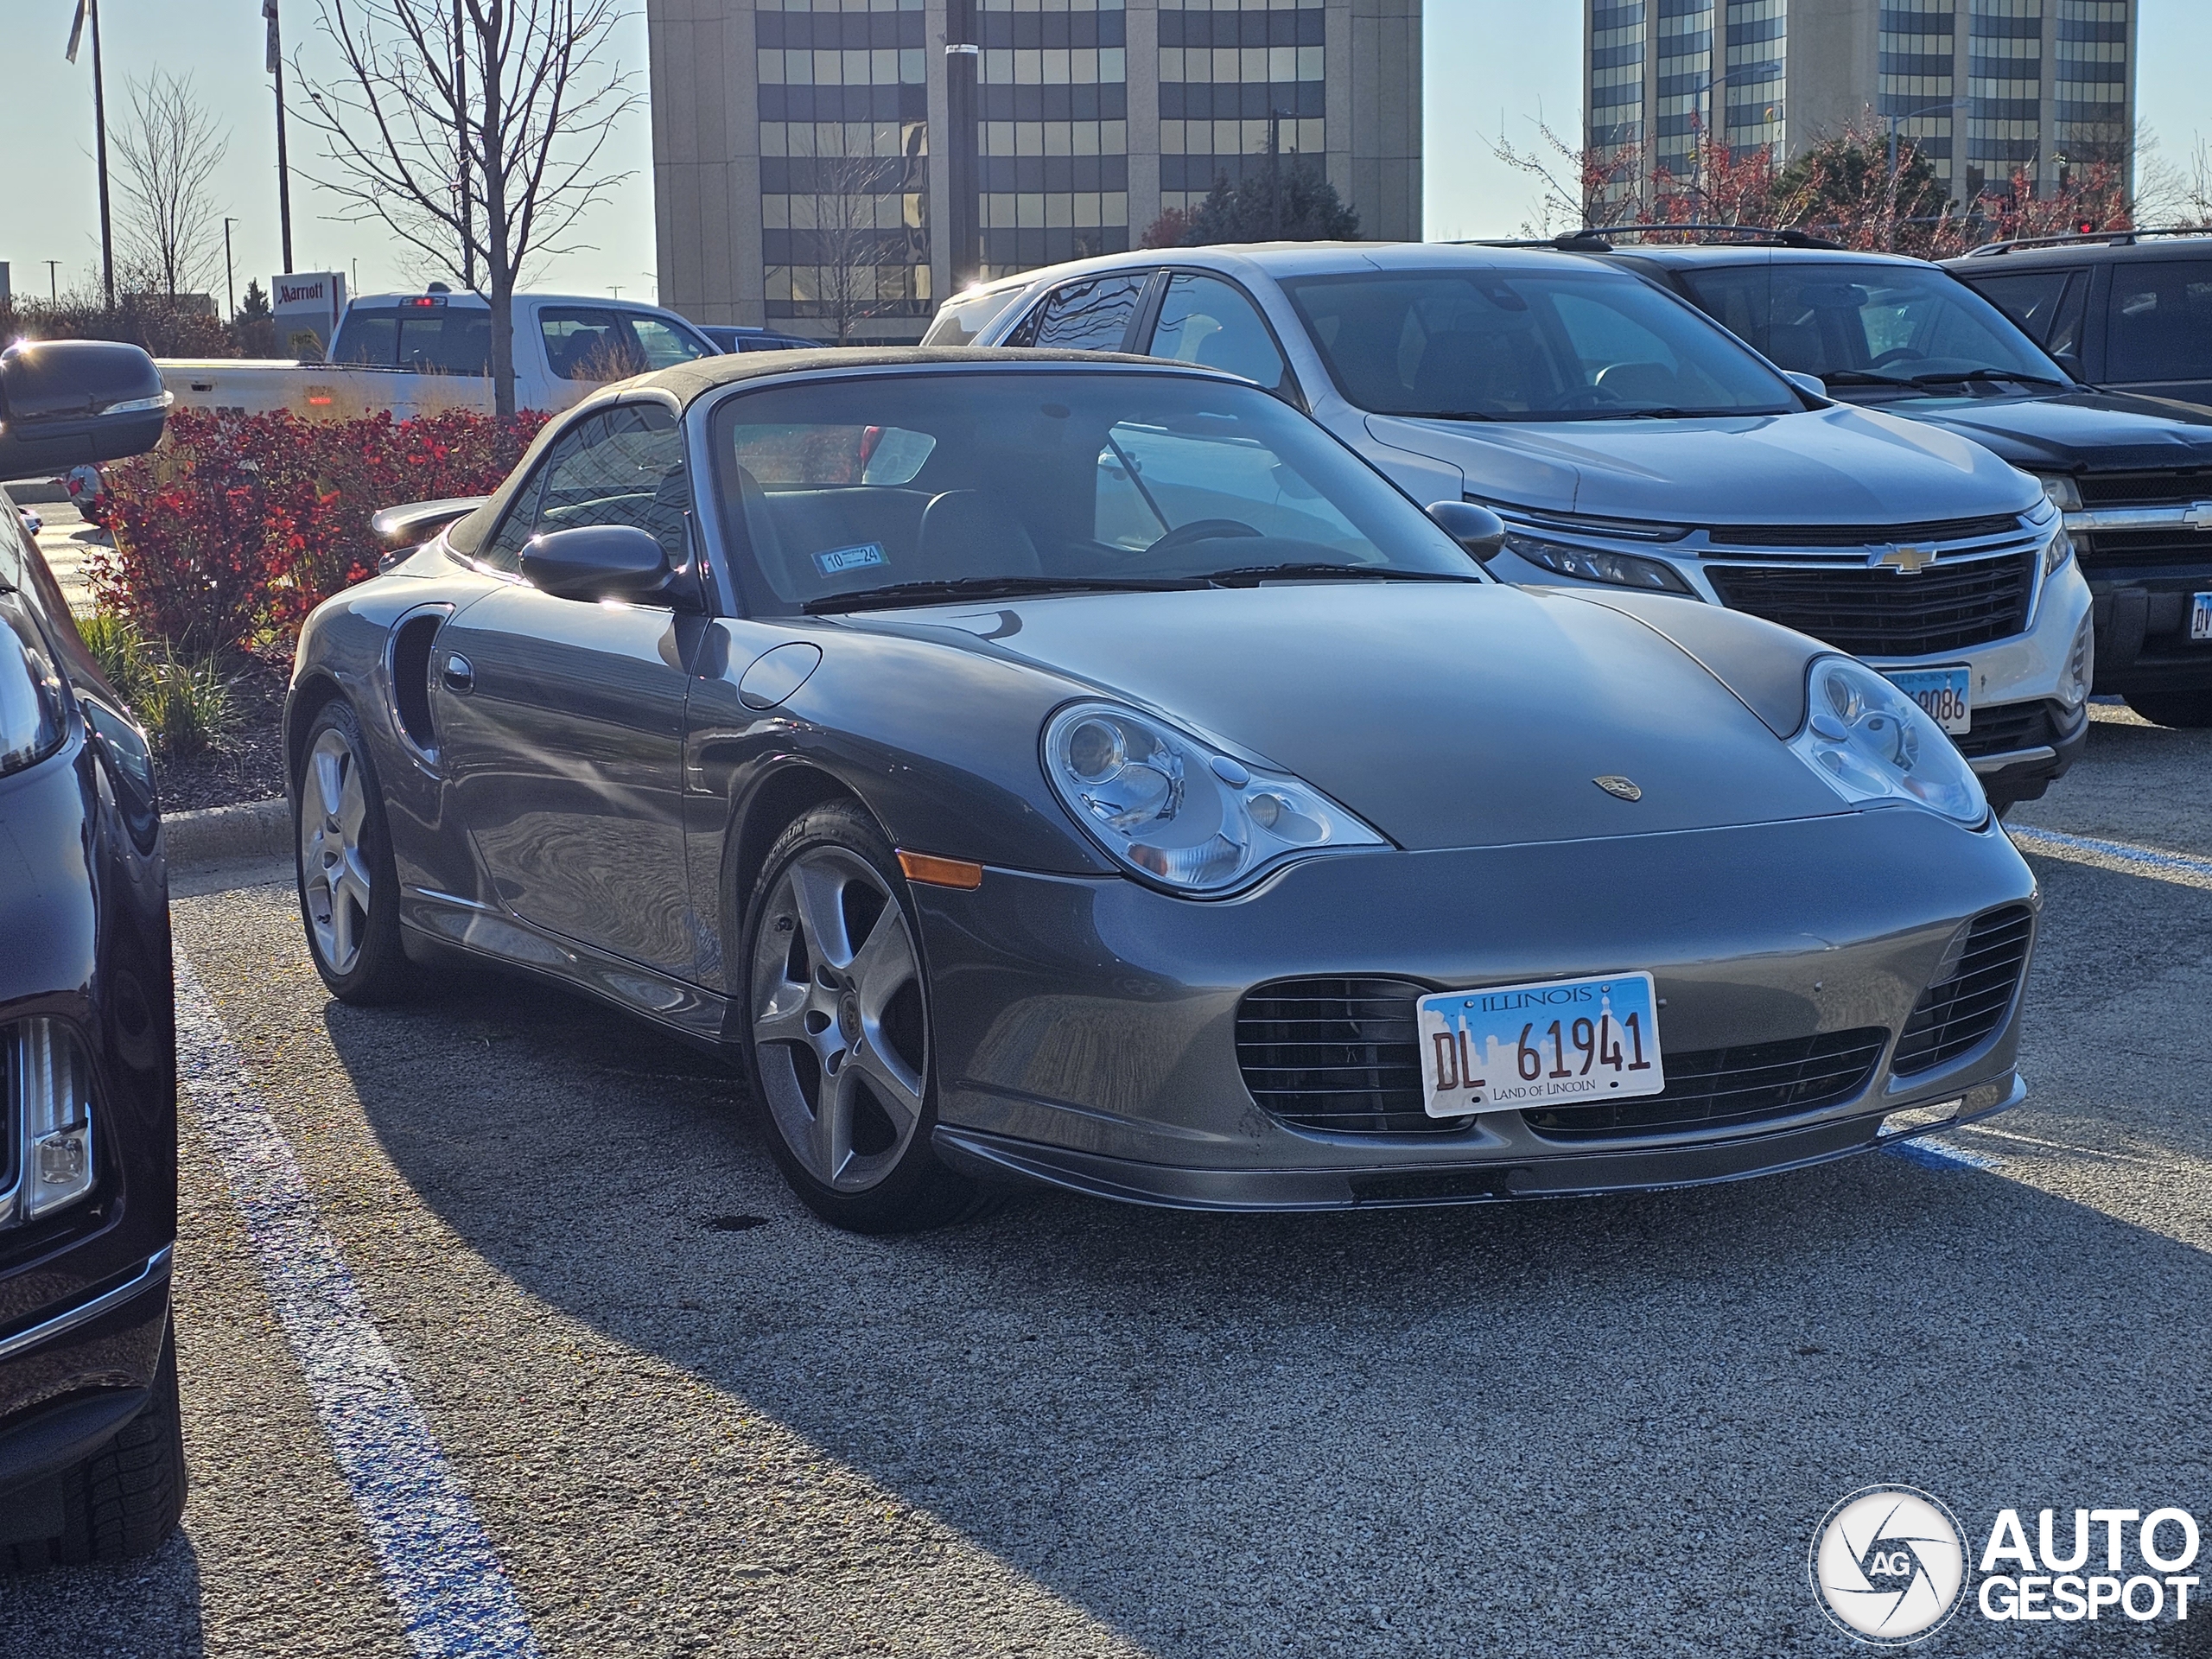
[1054, 109]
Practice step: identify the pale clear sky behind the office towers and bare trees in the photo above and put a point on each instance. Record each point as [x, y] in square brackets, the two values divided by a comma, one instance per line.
[1492, 65]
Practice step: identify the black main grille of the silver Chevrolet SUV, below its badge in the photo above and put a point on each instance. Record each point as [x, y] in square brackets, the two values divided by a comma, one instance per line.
[1888, 614]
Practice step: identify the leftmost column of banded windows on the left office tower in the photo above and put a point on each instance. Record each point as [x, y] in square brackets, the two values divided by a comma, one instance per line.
[844, 158]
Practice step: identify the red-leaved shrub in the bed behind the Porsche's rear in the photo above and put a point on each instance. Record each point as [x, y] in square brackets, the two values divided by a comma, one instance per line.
[240, 525]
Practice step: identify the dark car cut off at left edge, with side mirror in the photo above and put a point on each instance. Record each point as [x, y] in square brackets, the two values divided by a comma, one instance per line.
[92, 1459]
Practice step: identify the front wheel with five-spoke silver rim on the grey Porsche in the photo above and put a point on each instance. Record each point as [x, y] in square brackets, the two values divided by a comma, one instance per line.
[839, 1030]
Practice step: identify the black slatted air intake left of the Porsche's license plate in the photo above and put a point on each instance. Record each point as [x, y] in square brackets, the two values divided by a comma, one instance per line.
[1337, 1054]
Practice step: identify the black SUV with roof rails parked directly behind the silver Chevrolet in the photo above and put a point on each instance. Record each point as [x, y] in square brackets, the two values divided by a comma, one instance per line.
[1906, 337]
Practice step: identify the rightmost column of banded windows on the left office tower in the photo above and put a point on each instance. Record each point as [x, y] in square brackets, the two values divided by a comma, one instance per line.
[1231, 70]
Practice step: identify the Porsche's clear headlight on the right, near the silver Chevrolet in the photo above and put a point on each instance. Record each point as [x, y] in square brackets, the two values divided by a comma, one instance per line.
[1872, 742]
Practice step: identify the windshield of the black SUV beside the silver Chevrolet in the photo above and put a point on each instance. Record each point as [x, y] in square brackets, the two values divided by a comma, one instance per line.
[1872, 324]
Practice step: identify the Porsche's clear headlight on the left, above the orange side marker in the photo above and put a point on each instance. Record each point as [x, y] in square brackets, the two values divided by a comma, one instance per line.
[1182, 813]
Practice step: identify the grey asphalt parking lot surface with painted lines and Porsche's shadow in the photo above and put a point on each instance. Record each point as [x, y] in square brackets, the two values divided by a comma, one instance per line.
[676, 1415]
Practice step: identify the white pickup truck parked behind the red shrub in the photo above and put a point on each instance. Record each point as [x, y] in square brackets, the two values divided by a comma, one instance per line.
[432, 353]
